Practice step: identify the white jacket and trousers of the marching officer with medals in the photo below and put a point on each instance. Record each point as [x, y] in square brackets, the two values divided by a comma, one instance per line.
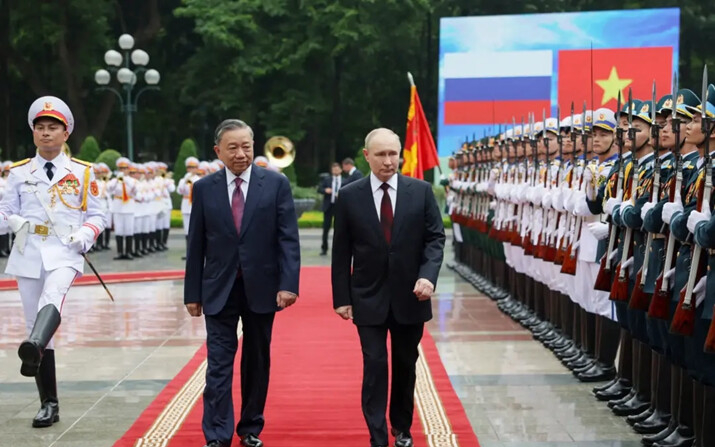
[45, 266]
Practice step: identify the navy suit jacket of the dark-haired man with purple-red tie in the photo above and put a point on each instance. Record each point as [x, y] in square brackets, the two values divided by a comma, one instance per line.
[267, 251]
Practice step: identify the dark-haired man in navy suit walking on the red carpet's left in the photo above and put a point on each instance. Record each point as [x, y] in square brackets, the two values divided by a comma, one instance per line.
[243, 262]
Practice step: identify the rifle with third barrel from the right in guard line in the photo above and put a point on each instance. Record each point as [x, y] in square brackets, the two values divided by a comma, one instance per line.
[640, 300]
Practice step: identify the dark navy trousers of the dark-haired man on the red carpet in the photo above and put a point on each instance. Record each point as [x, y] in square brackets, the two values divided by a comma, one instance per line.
[222, 344]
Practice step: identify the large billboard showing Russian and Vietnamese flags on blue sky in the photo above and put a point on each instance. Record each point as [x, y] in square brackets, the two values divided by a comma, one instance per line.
[493, 69]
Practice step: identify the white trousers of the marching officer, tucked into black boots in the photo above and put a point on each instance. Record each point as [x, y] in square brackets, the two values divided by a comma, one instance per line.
[50, 288]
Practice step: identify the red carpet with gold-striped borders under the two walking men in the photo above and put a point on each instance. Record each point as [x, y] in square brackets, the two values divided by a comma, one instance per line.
[314, 393]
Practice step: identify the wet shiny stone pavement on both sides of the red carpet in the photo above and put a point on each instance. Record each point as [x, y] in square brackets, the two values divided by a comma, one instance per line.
[114, 358]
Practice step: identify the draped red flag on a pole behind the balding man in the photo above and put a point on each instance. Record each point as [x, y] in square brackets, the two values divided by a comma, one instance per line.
[420, 152]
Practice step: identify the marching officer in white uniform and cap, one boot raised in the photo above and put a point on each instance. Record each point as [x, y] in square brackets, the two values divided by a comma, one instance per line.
[51, 205]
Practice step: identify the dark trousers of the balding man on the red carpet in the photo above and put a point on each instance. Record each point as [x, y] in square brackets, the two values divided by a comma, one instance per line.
[405, 340]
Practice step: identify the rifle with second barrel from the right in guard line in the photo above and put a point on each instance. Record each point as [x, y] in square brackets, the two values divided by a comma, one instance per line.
[660, 302]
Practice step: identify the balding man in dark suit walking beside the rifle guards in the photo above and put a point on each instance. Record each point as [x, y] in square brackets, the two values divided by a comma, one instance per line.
[388, 246]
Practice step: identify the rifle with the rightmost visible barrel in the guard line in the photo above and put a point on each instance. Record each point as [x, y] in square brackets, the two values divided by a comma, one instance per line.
[684, 318]
